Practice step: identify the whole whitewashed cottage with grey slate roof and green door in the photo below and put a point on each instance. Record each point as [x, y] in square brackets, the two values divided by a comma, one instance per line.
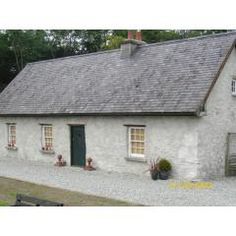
[123, 107]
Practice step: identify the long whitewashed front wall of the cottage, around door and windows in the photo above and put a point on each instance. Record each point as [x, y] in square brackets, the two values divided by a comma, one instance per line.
[174, 138]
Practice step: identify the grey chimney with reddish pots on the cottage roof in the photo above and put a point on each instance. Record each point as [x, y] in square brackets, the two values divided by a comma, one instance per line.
[130, 45]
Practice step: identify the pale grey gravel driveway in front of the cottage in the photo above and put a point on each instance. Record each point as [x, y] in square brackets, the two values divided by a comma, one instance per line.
[128, 187]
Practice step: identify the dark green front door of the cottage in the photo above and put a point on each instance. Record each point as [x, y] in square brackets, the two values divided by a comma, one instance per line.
[78, 148]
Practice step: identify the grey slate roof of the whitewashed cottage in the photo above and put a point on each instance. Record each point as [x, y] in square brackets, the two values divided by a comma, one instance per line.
[172, 77]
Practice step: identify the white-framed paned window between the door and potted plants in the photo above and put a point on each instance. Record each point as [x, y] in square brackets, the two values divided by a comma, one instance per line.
[136, 141]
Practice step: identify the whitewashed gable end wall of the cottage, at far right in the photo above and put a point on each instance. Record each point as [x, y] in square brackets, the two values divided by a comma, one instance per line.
[220, 119]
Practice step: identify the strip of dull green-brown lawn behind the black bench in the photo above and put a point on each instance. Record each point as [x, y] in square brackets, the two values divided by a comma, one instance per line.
[10, 187]
